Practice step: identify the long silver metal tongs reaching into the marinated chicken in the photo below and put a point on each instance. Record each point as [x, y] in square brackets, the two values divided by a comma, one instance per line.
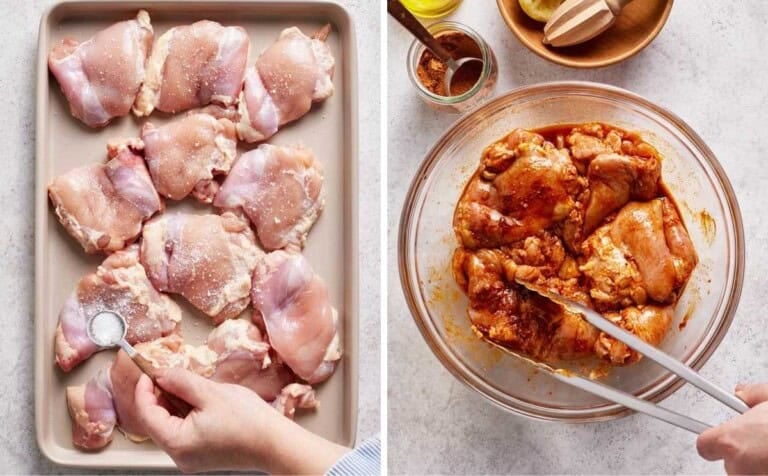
[650, 352]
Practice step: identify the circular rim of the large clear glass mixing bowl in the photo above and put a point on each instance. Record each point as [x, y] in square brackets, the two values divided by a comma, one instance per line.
[410, 276]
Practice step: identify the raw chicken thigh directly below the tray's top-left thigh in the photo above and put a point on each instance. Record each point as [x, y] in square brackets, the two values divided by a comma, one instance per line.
[103, 205]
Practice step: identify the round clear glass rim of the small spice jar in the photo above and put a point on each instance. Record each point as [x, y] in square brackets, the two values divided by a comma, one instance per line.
[416, 49]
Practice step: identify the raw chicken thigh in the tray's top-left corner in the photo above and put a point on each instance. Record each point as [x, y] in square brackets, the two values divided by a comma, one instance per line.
[101, 77]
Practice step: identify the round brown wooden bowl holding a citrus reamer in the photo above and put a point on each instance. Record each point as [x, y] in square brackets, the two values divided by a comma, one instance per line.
[636, 27]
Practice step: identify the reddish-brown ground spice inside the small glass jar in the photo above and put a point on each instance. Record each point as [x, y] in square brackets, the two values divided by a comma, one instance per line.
[431, 70]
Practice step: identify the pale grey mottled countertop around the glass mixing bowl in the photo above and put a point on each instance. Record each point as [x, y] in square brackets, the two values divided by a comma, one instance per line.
[708, 65]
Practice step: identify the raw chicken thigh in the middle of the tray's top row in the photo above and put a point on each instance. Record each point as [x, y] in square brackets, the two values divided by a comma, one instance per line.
[192, 66]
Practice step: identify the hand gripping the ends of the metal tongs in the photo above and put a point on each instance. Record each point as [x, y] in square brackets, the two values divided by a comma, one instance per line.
[741, 442]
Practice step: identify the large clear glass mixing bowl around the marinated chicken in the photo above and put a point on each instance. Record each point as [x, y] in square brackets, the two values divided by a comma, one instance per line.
[426, 241]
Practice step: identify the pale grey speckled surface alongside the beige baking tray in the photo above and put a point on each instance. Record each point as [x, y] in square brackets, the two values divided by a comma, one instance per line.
[19, 23]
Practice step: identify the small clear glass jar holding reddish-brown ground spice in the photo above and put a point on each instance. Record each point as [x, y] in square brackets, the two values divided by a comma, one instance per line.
[473, 96]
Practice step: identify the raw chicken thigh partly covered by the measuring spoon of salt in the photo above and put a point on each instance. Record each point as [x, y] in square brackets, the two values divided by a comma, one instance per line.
[120, 285]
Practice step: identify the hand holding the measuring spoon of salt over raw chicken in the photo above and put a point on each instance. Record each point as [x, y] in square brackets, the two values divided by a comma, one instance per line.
[230, 428]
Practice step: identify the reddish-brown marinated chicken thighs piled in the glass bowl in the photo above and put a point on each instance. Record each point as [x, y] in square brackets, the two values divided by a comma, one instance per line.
[580, 211]
